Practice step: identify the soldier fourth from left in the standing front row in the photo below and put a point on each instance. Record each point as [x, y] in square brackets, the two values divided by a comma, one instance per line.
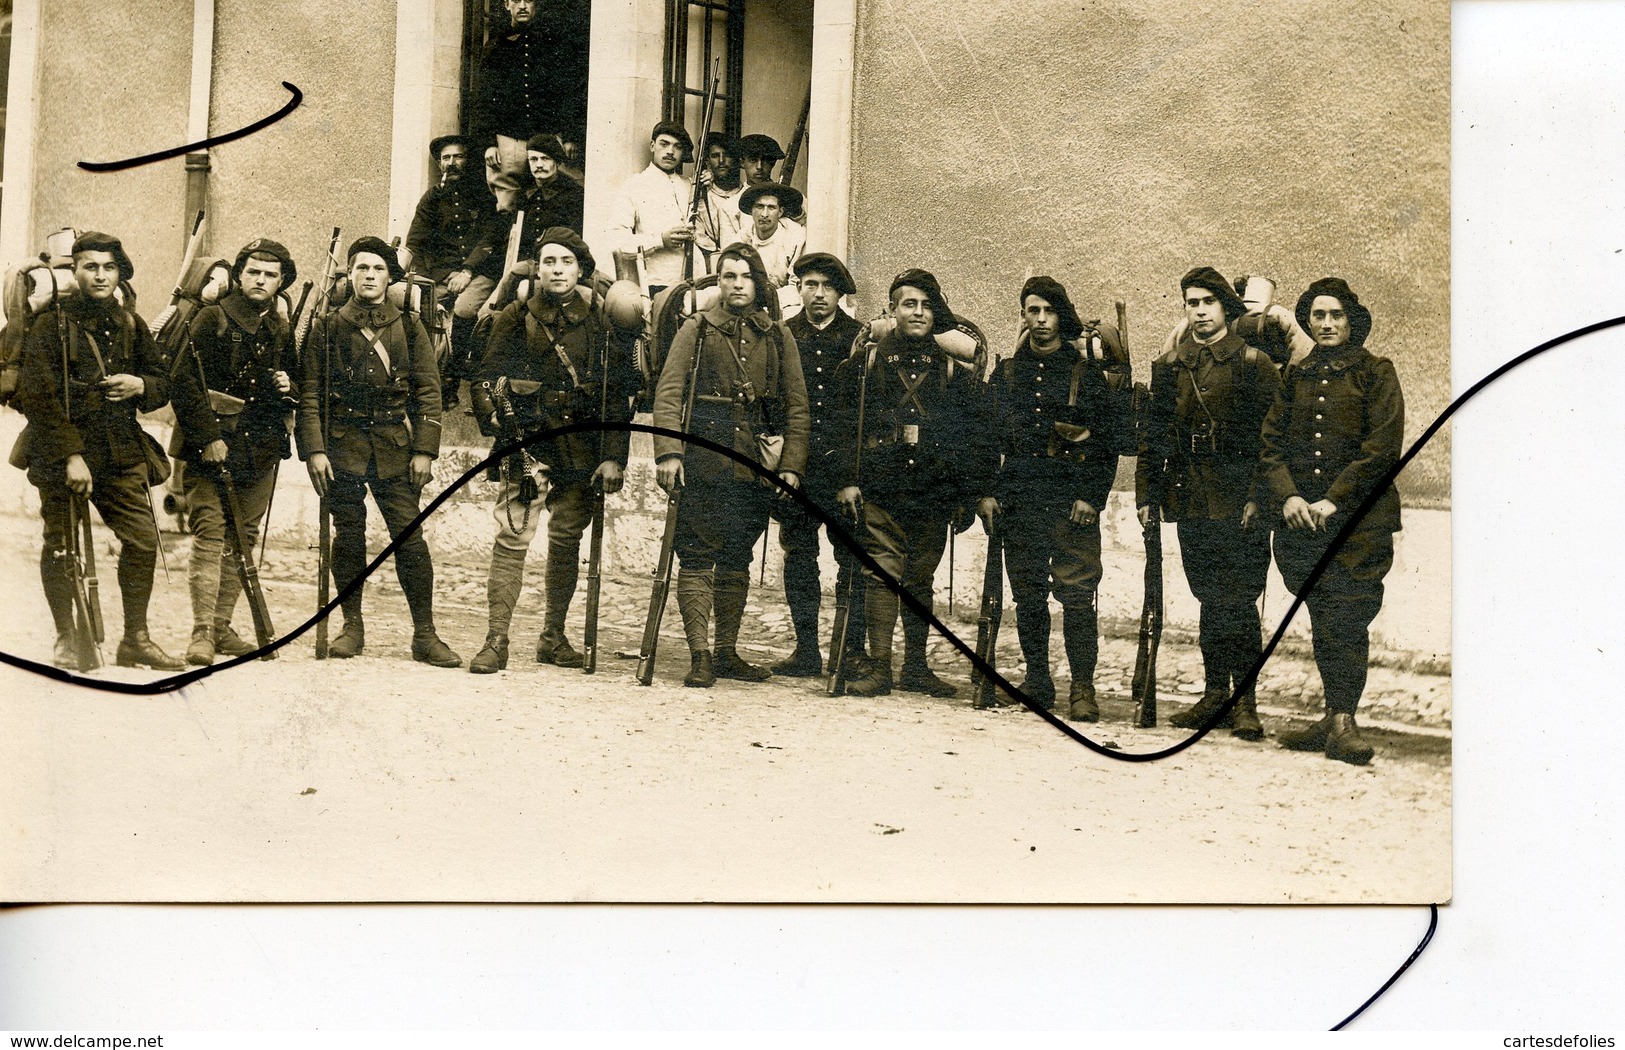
[547, 365]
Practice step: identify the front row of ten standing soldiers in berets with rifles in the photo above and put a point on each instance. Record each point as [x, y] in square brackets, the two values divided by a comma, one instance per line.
[1260, 425]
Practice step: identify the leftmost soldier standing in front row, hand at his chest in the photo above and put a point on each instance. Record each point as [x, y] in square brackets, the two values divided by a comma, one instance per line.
[80, 401]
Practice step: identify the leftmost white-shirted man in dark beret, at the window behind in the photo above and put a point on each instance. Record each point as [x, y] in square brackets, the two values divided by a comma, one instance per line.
[652, 212]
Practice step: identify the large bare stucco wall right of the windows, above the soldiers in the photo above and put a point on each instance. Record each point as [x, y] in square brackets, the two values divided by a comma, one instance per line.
[1119, 144]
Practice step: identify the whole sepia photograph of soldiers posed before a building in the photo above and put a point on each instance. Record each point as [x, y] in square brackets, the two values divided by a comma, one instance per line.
[726, 451]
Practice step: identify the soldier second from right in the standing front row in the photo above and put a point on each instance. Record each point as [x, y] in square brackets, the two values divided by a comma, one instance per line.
[1200, 469]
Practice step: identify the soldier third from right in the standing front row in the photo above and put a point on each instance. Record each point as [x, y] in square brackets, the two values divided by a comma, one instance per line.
[1054, 423]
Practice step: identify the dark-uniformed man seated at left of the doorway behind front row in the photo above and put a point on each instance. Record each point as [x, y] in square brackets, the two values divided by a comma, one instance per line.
[451, 240]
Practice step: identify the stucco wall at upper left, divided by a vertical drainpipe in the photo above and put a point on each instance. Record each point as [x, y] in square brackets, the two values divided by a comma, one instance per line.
[326, 165]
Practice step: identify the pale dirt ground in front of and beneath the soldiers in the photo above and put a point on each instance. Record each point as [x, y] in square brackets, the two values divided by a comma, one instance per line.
[389, 781]
